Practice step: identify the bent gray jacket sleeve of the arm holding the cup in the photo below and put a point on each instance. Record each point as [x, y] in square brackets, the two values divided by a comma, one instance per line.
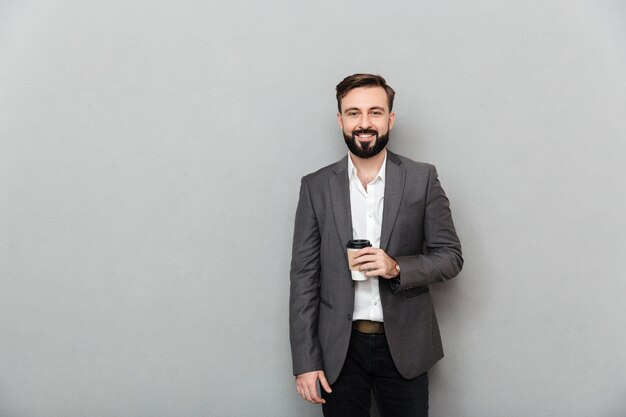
[442, 259]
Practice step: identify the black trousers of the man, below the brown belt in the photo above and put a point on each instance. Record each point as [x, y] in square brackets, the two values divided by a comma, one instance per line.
[369, 368]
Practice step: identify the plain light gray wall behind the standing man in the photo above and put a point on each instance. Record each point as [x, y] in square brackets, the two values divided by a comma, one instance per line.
[150, 159]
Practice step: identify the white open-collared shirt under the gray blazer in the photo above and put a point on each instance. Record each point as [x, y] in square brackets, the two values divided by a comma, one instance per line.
[367, 218]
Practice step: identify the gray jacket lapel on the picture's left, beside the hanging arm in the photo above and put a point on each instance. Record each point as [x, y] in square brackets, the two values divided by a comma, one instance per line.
[340, 200]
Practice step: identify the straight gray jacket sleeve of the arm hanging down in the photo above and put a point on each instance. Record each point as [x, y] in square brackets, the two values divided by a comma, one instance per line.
[304, 290]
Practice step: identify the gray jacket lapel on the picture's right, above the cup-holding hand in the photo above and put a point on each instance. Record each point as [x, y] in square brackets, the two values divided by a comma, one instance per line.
[394, 189]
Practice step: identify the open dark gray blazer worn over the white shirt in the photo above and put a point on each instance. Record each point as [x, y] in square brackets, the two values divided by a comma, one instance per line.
[417, 230]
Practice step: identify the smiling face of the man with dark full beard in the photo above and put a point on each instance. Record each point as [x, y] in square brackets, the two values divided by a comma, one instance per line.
[365, 121]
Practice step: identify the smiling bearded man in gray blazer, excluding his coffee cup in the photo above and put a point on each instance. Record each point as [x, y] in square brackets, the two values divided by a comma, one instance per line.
[381, 334]
